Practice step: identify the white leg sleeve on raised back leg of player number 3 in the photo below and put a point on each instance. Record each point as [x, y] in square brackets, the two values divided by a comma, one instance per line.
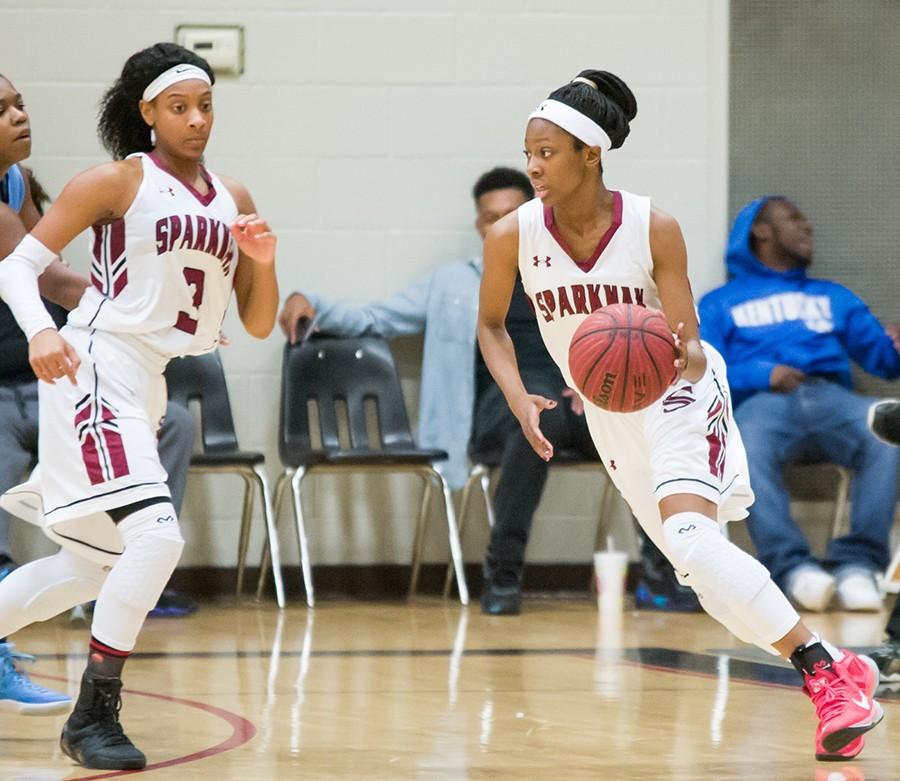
[47, 587]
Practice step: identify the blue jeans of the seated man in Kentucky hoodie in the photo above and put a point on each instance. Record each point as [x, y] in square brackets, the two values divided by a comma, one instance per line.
[819, 421]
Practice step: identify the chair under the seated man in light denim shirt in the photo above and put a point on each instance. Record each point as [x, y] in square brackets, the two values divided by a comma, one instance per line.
[480, 475]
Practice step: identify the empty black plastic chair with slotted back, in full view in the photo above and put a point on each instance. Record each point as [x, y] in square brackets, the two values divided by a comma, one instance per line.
[330, 387]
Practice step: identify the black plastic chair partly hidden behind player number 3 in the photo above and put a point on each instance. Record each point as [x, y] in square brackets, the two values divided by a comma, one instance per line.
[201, 378]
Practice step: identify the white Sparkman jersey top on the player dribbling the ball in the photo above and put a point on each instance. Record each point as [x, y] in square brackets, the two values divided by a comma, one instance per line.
[563, 291]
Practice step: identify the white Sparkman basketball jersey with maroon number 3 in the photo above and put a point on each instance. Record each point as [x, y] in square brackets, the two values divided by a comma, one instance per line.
[164, 272]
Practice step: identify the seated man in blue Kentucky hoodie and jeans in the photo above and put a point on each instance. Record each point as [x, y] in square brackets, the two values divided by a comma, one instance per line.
[787, 339]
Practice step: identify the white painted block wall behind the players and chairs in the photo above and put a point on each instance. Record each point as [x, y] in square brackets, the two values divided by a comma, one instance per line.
[360, 127]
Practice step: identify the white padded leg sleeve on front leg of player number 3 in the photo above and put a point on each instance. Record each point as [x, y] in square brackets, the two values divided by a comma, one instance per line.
[153, 545]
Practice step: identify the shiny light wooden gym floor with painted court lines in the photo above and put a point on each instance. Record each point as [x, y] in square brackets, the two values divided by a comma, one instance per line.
[429, 690]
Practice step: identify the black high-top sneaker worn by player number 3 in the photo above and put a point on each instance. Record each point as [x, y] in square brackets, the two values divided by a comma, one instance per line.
[93, 736]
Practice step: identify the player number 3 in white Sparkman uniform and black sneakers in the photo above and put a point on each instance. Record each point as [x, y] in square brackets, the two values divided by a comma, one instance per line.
[169, 242]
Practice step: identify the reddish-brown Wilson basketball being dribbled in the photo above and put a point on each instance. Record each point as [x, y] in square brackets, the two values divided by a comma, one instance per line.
[622, 357]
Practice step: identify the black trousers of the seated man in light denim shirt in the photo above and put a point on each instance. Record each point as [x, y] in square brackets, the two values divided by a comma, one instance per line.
[523, 473]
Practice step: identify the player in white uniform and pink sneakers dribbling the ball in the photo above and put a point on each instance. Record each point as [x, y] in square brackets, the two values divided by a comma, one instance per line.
[680, 463]
